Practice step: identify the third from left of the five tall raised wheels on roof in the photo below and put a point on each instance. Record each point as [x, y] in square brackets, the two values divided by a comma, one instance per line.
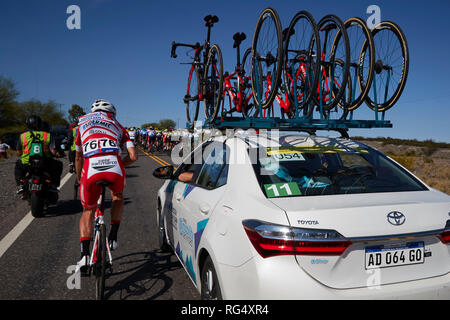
[332, 81]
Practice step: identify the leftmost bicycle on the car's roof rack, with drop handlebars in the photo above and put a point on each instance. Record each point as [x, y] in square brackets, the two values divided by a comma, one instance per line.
[205, 78]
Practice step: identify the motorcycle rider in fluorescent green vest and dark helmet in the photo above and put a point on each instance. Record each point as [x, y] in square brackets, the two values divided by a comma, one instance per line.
[25, 148]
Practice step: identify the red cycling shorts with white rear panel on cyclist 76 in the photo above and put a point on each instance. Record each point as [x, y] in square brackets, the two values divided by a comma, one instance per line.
[103, 167]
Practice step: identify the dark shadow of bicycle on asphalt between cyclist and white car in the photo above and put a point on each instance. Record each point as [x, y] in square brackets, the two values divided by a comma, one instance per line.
[146, 275]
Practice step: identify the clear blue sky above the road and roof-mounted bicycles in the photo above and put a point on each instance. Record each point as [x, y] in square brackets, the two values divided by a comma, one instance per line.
[122, 53]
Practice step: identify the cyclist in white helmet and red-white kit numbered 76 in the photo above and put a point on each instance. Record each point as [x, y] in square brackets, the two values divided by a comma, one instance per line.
[98, 143]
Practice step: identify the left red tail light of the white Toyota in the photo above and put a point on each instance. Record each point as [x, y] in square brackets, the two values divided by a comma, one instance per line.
[271, 240]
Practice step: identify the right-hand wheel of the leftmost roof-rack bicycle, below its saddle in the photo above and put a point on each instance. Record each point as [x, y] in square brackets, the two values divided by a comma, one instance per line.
[213, 83]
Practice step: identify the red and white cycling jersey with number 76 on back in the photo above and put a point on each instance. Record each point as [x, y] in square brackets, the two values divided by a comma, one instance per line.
[100, 133]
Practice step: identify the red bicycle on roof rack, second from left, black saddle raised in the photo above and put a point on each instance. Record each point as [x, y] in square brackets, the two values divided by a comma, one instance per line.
[237, 87]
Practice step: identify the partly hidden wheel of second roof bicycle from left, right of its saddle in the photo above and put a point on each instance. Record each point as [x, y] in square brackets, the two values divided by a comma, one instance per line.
[249, 108]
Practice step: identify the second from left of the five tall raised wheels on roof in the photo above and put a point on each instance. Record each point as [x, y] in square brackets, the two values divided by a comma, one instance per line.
[301, 60]
